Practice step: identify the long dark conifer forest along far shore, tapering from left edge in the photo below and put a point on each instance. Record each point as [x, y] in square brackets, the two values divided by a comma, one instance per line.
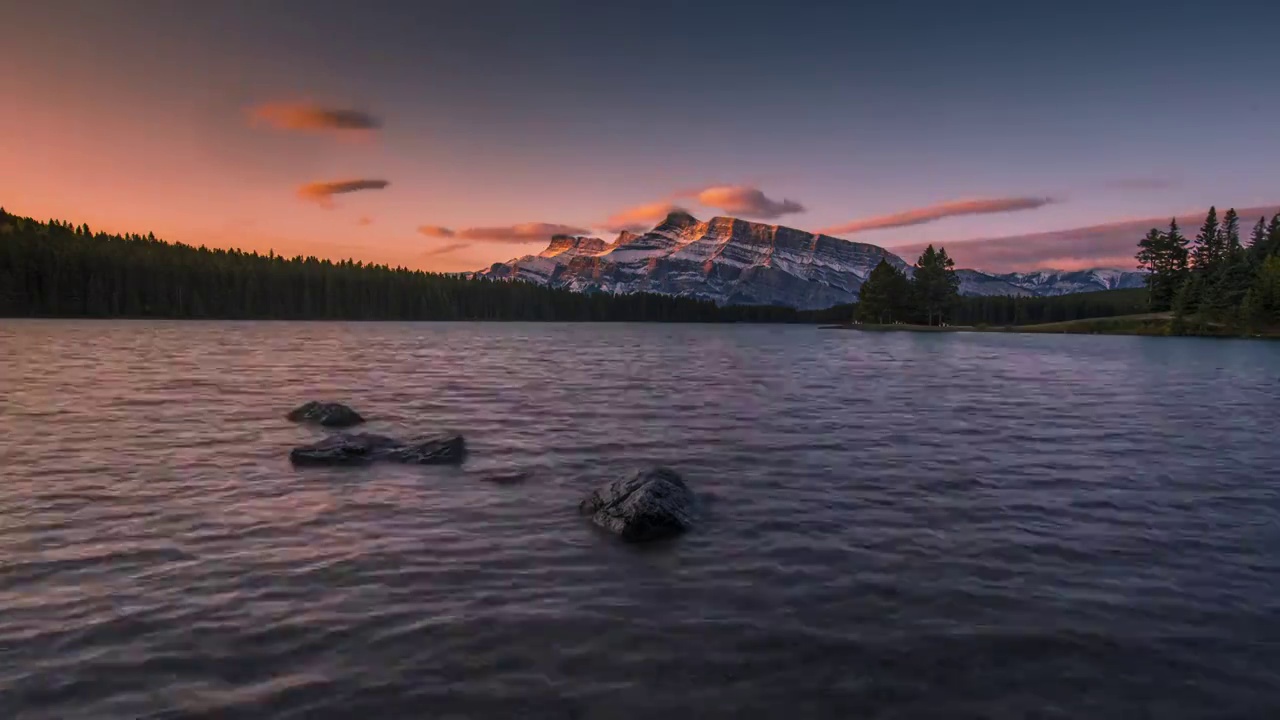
[57, 270]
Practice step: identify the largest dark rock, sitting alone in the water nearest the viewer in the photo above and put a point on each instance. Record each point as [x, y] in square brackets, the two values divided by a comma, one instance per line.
[648, 505]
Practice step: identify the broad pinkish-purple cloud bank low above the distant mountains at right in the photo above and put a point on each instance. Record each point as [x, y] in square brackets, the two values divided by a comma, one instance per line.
[1112, 245]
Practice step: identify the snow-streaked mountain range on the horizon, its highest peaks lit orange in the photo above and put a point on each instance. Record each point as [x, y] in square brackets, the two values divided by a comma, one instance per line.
[735, 262]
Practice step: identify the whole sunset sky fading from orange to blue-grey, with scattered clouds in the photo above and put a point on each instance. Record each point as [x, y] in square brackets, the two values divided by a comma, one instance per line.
[451, 135]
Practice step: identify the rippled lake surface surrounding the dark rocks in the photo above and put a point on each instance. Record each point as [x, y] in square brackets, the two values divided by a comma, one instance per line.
[900, 526]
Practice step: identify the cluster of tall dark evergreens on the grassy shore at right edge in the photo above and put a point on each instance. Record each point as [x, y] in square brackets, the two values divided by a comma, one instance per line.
[1214, 284]
